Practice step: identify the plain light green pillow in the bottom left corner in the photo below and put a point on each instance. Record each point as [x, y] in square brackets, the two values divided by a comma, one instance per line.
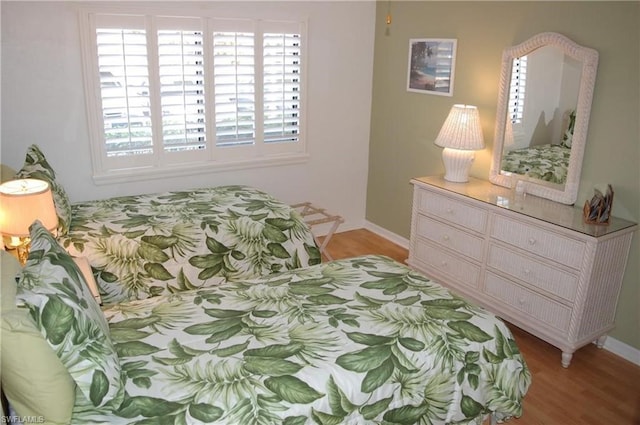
[34, 380]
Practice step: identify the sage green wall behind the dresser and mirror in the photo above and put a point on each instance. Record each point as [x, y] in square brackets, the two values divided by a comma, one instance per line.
[405, 124]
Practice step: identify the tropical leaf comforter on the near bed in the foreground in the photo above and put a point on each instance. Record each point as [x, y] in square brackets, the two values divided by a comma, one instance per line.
[358, 341]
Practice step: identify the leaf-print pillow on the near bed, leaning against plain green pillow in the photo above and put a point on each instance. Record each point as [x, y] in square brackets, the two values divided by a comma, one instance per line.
[52, 287]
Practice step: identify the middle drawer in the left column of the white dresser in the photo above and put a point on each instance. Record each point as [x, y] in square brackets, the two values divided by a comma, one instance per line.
[450, 237]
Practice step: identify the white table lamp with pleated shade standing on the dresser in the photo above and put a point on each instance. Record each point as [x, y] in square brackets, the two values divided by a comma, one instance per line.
[460, 136]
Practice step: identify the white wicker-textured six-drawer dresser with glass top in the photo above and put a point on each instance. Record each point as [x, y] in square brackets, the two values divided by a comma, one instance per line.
[531, 261]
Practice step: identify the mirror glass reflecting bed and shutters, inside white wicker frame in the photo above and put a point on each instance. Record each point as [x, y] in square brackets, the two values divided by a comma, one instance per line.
[543, 94]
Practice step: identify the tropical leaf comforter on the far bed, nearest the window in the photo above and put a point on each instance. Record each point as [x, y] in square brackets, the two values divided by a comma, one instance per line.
[148, 245]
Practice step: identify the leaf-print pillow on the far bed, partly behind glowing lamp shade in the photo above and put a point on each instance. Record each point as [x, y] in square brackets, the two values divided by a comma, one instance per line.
[36, 167]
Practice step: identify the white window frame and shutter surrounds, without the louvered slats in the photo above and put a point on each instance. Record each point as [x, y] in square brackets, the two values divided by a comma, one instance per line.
[213, 158]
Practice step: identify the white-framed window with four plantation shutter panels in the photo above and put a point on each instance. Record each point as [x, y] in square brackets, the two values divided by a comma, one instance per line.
[178, 94]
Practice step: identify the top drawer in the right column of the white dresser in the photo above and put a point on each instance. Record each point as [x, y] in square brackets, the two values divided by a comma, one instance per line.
[539, 241]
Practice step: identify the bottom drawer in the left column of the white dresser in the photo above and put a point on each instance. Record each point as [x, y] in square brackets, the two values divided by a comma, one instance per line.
[443, 263]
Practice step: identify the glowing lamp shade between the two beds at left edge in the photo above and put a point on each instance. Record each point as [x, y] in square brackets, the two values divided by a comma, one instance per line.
[24, 201]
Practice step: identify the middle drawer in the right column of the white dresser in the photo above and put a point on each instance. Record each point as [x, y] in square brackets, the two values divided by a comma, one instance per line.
[539, 275]
